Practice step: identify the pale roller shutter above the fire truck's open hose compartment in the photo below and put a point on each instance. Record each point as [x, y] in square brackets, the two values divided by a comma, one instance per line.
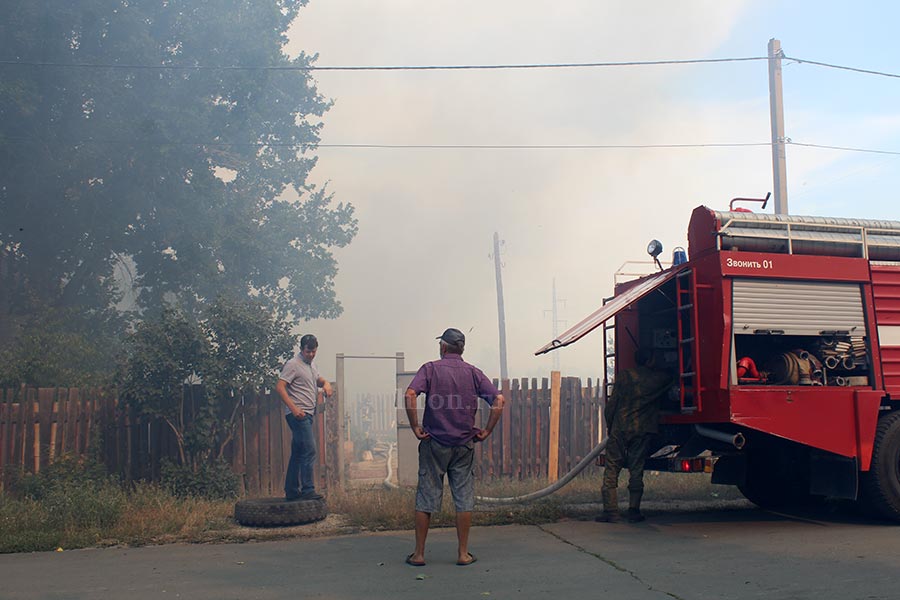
[797, 307]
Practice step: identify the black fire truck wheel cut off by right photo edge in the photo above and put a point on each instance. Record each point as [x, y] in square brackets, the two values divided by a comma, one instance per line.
[881, 485]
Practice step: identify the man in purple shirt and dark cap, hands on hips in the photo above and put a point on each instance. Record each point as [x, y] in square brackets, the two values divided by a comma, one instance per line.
[447, 438]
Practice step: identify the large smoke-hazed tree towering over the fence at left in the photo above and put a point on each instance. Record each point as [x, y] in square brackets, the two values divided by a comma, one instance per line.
[152, 177]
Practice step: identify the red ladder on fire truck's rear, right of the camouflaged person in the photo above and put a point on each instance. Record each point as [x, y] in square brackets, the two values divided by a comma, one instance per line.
[688, 346]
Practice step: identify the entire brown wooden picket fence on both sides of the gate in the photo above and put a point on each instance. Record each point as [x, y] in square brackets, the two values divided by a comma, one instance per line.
[39, 425]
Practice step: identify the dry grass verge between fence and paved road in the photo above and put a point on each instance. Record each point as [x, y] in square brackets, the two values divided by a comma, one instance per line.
[101, 513]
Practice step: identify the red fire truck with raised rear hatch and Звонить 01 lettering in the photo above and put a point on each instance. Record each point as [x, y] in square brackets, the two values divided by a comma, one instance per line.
[784, 332]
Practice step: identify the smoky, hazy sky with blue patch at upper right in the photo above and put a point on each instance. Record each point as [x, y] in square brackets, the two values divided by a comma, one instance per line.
[427, 216]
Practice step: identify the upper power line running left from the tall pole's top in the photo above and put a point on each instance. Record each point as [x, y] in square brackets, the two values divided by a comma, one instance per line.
[175, 67]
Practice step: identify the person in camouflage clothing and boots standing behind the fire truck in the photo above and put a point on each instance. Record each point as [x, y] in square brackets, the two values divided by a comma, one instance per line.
[632, 418]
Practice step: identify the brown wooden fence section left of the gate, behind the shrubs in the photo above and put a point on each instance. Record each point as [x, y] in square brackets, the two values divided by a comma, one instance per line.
[38, 425]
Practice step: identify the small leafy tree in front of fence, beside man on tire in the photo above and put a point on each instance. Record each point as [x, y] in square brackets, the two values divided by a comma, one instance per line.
[235, 351]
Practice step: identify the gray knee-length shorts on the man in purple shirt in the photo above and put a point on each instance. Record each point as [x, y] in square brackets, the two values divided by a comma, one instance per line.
[456, 462]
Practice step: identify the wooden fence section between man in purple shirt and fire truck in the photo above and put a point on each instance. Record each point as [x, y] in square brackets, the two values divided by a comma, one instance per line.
[519, 448]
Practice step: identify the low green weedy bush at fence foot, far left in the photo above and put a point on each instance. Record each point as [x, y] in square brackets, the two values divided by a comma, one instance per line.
[75, 494]
